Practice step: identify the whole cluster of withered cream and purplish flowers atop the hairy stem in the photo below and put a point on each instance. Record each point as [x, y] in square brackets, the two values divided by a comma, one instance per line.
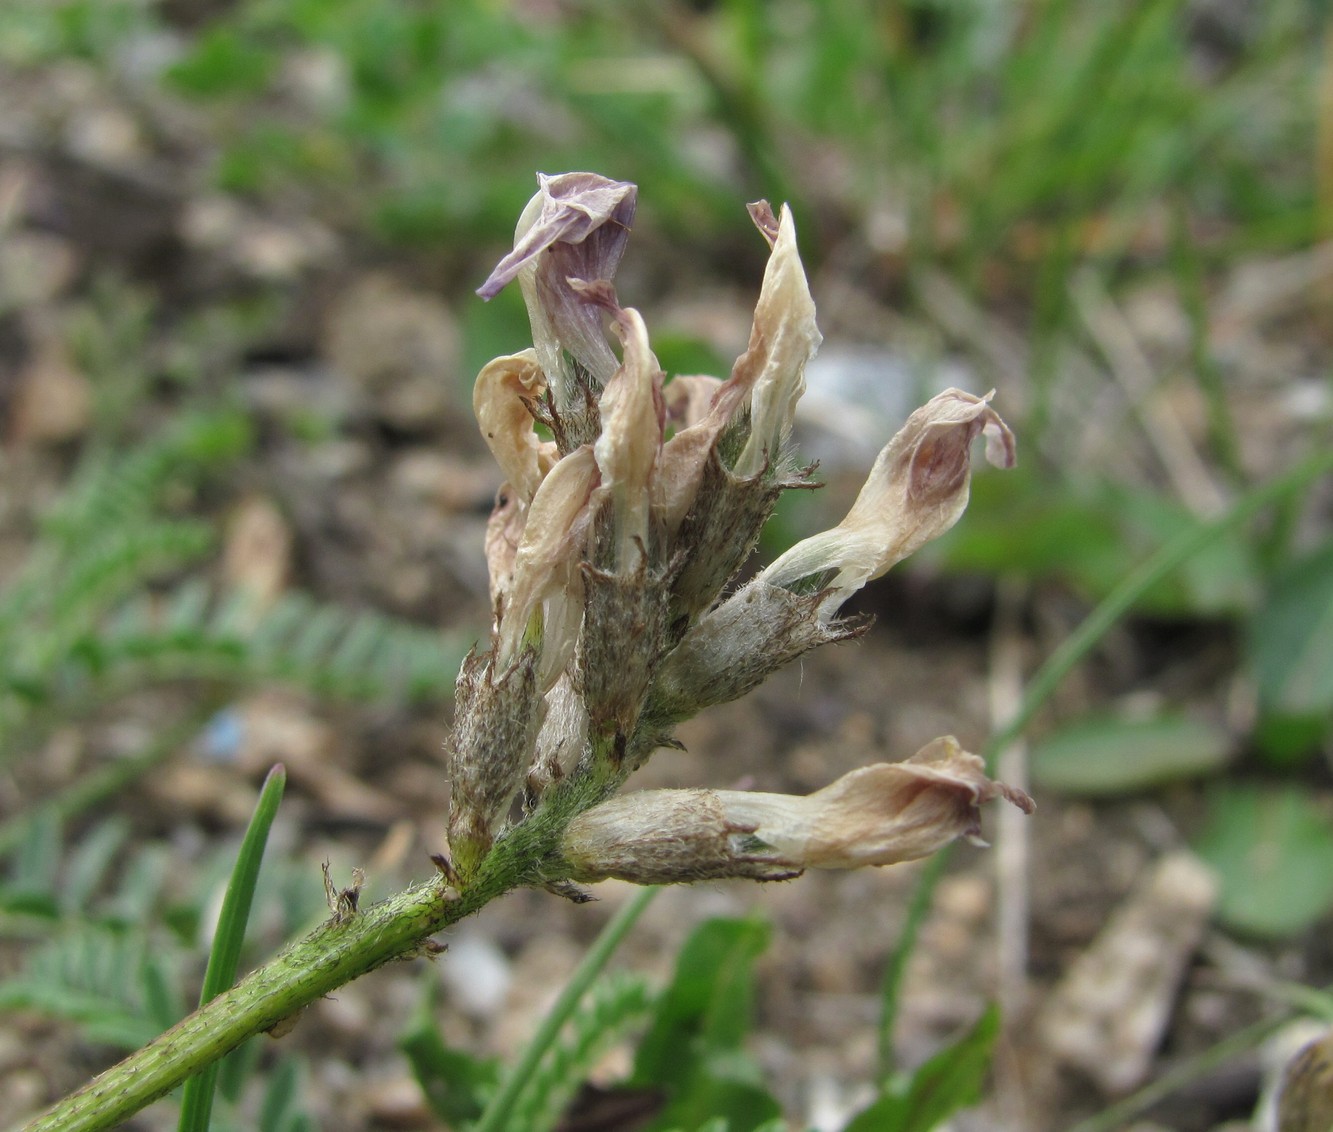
[630, 505]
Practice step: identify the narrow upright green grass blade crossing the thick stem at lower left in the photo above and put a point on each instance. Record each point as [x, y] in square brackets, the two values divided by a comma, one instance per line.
[198, 1102]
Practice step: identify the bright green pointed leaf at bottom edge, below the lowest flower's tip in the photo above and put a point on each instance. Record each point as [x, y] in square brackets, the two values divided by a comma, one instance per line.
[950, 1081]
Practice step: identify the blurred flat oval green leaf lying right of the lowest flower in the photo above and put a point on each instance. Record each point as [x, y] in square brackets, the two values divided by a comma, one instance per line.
[1100, 757]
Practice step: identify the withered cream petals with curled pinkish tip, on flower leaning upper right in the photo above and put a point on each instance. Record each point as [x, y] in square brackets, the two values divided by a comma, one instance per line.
[915, 493]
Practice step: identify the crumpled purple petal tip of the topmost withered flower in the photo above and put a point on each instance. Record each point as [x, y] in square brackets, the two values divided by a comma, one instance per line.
[579, 210]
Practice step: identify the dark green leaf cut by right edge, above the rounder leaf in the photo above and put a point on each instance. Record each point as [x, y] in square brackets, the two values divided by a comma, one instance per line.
[1291, 654]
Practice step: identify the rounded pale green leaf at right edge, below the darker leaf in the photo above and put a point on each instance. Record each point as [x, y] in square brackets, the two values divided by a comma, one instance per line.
[1272, 850]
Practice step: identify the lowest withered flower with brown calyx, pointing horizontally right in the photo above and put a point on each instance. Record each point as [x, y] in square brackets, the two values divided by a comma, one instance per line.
[879, 815]
